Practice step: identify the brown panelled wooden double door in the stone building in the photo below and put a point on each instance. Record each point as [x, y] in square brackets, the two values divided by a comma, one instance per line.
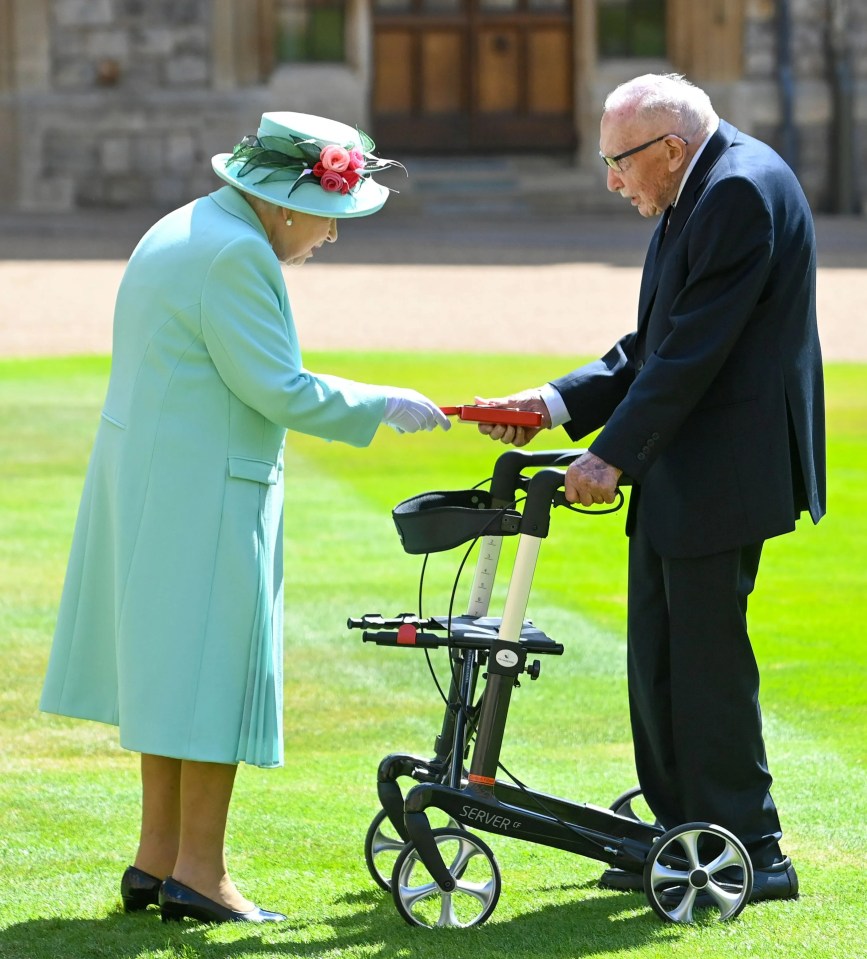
[458, 76]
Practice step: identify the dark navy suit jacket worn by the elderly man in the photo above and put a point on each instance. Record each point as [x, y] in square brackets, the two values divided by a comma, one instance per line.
[715, 406]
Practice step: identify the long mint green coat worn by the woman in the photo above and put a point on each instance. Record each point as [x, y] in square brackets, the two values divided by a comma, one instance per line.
[170, 623]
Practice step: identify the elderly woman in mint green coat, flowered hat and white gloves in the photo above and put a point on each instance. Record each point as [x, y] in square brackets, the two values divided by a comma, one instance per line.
[170, 624]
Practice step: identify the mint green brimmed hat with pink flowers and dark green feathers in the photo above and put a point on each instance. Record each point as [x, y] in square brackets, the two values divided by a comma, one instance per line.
[307, 163]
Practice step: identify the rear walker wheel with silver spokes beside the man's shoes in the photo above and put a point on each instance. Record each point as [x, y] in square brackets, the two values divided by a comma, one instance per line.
[697, 866]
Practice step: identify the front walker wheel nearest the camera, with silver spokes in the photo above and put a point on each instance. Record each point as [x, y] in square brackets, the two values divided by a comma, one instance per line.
[421, 902]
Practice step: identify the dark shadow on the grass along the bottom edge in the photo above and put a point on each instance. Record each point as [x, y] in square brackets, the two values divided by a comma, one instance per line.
[364, 924]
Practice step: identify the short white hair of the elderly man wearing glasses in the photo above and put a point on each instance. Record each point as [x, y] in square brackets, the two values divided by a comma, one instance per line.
[669, 97]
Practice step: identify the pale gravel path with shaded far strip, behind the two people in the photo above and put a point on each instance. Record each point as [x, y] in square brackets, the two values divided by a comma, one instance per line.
[520, 284]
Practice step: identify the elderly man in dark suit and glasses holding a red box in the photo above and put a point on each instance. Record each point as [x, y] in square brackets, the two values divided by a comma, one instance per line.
[714, 408]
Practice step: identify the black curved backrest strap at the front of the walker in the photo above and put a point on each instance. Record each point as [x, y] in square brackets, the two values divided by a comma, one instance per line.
[433, 522]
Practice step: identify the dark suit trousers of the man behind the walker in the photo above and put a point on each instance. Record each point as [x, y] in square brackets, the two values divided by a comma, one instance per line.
[694, 693]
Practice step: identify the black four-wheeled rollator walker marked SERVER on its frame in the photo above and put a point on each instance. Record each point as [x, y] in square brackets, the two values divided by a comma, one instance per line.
[448, 876]
